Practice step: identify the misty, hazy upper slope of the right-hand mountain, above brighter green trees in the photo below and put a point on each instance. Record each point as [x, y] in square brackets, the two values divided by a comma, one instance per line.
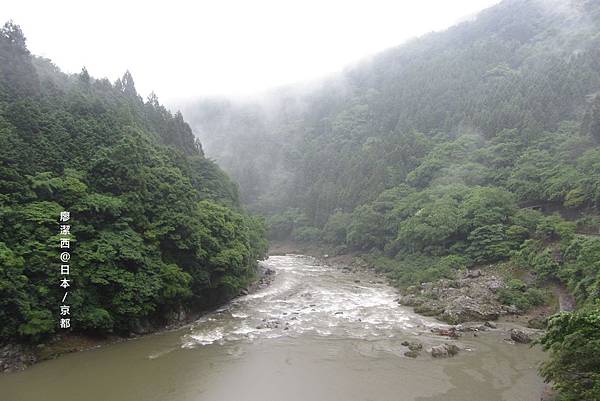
[525, 65]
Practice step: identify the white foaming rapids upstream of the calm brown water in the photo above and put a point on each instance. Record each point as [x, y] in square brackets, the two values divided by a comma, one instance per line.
[308, 298]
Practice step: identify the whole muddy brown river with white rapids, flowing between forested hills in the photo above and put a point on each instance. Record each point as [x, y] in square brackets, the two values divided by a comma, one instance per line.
[316, 333]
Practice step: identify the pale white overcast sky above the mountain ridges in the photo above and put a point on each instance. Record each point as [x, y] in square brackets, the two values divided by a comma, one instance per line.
[195, 48]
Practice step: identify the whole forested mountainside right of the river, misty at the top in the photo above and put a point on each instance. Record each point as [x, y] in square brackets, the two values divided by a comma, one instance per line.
[475, 146]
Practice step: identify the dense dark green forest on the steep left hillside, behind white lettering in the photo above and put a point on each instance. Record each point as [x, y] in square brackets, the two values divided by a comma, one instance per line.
[156, 228]
